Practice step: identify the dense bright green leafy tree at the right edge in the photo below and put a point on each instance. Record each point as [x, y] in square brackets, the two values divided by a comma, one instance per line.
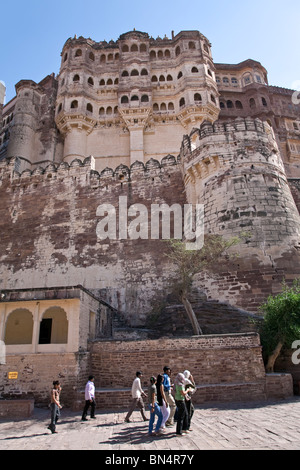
[281, 324]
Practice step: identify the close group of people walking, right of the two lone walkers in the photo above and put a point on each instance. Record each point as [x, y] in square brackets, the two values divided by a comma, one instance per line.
[161, 402]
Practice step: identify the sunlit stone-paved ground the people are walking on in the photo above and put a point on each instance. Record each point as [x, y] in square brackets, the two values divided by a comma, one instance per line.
[247, 426]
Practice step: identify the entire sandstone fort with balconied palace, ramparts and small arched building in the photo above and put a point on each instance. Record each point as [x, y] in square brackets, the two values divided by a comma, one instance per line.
[155, 121]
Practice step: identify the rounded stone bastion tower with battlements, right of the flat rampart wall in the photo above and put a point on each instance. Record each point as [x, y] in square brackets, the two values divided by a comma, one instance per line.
[235, 169]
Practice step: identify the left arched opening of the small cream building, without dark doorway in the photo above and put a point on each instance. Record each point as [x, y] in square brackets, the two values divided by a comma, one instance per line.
[19, 327]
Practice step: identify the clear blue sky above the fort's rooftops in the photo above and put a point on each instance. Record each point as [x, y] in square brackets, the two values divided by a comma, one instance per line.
[33, 32]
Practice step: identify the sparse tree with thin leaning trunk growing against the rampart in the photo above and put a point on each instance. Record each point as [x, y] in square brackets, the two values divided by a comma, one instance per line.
[188, 263]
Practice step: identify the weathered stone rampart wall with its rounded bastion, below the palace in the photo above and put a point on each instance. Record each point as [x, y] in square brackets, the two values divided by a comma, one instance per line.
[49, 220]
